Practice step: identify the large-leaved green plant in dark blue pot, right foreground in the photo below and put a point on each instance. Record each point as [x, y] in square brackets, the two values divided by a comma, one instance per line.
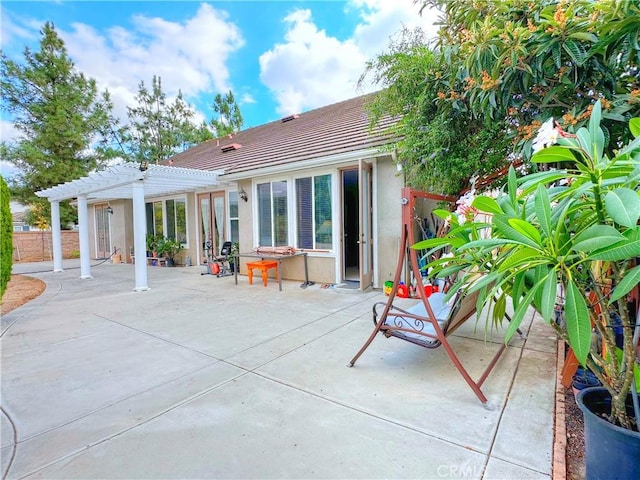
[566, 238]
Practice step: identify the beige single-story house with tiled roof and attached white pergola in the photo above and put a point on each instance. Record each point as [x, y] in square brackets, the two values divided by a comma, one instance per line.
[320, 181]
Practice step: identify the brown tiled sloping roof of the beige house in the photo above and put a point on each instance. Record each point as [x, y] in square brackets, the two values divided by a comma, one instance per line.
[332, 130]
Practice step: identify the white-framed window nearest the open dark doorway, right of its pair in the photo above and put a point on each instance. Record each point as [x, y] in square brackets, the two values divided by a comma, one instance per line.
[313, 212]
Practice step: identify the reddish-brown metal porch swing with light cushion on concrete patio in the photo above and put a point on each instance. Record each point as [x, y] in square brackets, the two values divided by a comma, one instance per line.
[430, 321]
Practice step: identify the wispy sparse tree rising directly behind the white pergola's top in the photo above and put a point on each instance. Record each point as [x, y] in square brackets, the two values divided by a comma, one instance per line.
[159, 128]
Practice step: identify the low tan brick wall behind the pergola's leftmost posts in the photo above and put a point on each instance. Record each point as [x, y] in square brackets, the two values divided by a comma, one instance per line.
[37, 246]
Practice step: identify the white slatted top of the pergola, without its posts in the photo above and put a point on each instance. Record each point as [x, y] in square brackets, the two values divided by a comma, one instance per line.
[115, 182]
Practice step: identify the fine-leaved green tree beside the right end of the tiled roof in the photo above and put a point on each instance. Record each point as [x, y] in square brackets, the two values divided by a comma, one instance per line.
[438, 149]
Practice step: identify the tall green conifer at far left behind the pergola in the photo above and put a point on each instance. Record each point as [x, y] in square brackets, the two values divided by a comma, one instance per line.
[59, 114]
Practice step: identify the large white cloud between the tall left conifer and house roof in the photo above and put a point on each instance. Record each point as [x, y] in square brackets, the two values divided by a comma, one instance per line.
[189, 55]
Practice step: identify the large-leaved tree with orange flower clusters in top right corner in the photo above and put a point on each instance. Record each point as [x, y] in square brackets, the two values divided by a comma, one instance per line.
[522, 61]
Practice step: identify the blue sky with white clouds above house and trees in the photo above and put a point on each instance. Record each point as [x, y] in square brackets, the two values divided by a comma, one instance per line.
[277, 57]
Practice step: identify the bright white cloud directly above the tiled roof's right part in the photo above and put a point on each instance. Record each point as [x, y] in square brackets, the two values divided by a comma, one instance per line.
[311, 69]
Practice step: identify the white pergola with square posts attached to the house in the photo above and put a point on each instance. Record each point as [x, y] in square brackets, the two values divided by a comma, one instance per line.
[126, 181]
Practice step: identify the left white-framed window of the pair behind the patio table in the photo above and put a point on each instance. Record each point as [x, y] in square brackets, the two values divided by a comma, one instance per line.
[272, 214]
